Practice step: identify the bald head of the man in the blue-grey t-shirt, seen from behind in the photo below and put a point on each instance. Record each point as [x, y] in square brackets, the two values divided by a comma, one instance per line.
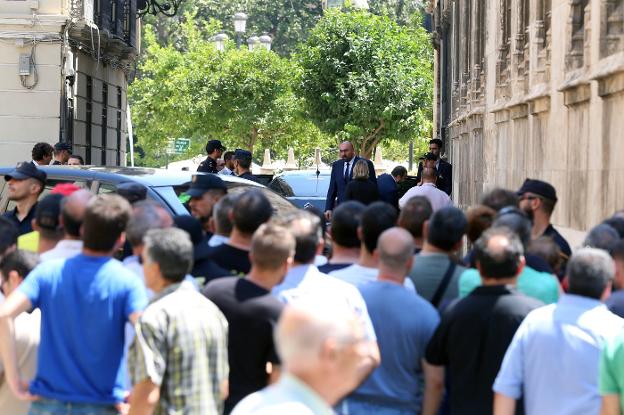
[396, 250]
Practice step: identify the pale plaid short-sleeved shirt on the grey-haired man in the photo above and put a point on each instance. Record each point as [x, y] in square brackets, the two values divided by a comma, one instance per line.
[181, 346]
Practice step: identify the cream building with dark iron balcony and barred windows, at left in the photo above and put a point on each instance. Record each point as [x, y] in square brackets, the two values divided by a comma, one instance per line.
[64, 67]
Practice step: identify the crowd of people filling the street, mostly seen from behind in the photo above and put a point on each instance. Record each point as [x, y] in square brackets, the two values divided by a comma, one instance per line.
[118, 307]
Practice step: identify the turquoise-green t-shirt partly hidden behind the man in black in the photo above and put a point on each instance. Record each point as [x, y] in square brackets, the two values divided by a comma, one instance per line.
[540, 285]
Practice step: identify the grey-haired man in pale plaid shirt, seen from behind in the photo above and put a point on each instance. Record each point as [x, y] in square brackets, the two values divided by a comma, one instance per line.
[178, 362]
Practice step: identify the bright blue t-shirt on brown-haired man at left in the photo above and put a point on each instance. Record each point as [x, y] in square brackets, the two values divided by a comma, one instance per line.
[85, 302]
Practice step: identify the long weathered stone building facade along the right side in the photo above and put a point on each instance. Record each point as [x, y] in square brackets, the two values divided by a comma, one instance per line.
[534, 88]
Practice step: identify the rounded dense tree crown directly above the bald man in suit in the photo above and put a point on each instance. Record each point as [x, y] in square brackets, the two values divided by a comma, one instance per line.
[365, 78]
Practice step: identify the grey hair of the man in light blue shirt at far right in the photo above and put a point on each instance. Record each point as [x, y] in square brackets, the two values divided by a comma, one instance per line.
[589, 272]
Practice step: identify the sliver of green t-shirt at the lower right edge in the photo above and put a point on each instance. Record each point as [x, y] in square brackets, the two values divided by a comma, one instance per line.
[612, 368]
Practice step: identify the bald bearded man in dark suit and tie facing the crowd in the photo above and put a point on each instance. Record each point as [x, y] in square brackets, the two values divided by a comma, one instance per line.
[342, 173]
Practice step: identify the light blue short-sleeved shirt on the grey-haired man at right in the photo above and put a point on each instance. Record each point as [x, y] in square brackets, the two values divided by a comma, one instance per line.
[553, 359]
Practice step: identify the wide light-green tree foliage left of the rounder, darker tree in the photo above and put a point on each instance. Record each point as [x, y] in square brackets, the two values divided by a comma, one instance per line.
[192, 90]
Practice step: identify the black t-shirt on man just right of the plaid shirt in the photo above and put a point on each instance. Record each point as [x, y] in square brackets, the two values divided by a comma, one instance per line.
[252, 313]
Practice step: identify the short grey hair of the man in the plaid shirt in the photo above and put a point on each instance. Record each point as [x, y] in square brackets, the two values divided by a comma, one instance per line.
[172, 250]
